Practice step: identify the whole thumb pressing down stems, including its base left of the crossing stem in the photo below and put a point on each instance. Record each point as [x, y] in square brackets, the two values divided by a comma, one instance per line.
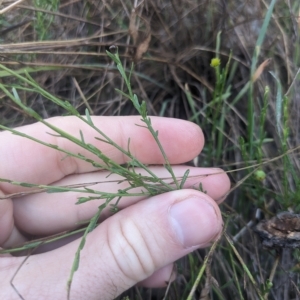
[126, 248]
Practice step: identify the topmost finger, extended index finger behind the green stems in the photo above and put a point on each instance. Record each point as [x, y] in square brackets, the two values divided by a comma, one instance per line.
[24, 160]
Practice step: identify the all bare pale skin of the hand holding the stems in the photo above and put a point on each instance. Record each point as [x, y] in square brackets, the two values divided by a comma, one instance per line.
[139, 244]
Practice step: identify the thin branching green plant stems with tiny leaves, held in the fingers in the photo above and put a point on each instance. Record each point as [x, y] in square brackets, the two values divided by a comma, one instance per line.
[149, 185]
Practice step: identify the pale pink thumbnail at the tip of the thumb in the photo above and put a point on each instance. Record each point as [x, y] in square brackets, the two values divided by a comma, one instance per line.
[195, 221]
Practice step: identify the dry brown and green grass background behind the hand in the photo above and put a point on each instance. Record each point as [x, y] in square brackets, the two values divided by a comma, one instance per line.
[248, 107]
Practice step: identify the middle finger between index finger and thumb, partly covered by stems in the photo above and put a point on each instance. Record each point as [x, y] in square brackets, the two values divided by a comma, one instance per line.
[51, 213]
